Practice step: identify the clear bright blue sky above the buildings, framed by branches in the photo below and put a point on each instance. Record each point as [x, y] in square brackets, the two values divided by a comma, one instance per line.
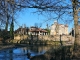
[29, 18]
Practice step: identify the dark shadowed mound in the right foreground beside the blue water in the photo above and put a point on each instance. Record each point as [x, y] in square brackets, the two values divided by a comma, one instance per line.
[63, 53]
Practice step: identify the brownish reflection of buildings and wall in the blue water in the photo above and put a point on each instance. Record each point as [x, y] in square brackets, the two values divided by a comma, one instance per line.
[36, 49]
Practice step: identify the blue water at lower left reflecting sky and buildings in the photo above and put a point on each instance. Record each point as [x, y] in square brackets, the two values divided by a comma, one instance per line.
[23, 53]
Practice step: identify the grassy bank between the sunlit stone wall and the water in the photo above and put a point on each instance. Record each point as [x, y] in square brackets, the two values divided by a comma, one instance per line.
[22, 43]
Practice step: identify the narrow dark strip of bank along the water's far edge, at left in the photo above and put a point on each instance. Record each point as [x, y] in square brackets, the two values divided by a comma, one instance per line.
[9, 46]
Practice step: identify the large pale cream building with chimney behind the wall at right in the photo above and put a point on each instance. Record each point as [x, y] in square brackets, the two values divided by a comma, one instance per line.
[59, 29]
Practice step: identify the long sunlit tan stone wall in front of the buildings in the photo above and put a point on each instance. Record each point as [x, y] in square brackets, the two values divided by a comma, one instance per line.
[46, 37]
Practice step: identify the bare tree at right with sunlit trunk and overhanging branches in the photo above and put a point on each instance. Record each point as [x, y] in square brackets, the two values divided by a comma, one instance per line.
[60, 8]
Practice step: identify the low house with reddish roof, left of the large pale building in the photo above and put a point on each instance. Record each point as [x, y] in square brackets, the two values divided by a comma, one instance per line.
[31, 31]
